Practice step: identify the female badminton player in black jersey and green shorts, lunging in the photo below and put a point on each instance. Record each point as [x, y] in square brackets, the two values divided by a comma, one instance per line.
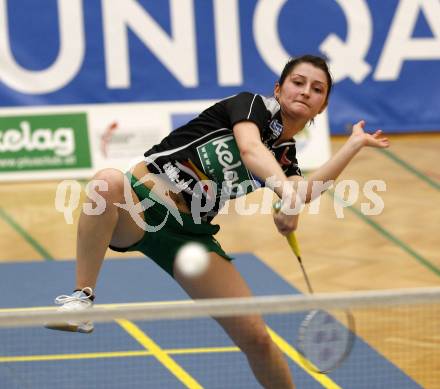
[228, 150]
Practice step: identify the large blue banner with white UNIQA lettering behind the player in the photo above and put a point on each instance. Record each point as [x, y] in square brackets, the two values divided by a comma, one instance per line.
[384, 55]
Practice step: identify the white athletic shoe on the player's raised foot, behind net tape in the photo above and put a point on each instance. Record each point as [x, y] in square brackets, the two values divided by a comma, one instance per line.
[77, 301]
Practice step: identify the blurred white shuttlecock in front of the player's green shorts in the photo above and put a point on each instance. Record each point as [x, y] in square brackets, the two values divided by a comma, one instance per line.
[192, 259]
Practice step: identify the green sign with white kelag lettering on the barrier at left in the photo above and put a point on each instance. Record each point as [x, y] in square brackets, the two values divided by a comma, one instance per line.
[44, 142]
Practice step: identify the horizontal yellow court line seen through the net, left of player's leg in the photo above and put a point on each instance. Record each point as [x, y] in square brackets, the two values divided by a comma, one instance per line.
[116, 354]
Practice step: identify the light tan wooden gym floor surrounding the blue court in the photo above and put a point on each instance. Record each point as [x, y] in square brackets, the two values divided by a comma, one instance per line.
[395, 249]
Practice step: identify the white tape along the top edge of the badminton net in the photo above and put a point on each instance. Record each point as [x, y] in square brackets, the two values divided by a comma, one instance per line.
[187, 309]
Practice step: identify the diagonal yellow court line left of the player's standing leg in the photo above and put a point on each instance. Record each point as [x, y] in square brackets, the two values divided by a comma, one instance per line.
[160, 354]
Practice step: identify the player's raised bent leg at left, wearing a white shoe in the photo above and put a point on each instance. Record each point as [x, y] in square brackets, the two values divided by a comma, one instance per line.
[109, 224]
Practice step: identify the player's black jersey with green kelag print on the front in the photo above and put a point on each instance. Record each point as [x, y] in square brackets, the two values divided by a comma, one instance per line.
[202, 159]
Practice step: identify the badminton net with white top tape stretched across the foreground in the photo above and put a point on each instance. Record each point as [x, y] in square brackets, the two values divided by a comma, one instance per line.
[178, 344]
